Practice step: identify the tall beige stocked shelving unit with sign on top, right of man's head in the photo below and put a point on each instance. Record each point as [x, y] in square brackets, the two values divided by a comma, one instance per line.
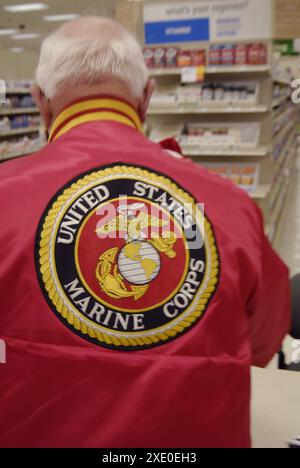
[273, 153]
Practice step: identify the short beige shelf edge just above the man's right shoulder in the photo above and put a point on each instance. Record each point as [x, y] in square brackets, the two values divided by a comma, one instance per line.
[194, 152]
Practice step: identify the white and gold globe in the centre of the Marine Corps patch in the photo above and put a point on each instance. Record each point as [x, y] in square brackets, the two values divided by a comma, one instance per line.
[139, 263]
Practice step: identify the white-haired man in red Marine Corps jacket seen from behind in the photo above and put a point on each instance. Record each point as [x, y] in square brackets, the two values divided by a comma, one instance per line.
[131, 315]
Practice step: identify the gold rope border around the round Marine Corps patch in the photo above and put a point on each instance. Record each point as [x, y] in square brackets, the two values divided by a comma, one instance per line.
[55, 296]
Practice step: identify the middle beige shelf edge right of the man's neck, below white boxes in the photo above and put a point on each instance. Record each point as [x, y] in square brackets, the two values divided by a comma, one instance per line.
[203, 109]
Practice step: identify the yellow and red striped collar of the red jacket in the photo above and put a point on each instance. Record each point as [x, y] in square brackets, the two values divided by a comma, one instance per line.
[92, 109]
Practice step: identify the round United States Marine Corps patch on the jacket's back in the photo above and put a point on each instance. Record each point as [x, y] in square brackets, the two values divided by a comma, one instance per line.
[126, 258]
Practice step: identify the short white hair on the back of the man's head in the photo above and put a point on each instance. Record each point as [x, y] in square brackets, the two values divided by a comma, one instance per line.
[88, 50]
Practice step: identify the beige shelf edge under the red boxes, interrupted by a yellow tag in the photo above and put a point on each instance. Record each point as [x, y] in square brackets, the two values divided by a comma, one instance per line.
[221, 70]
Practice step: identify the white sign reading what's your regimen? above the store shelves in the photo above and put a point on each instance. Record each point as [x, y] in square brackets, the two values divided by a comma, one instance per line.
[227, 19]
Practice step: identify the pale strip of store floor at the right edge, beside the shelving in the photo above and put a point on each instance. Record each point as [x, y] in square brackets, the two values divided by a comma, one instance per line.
[290, 242]
